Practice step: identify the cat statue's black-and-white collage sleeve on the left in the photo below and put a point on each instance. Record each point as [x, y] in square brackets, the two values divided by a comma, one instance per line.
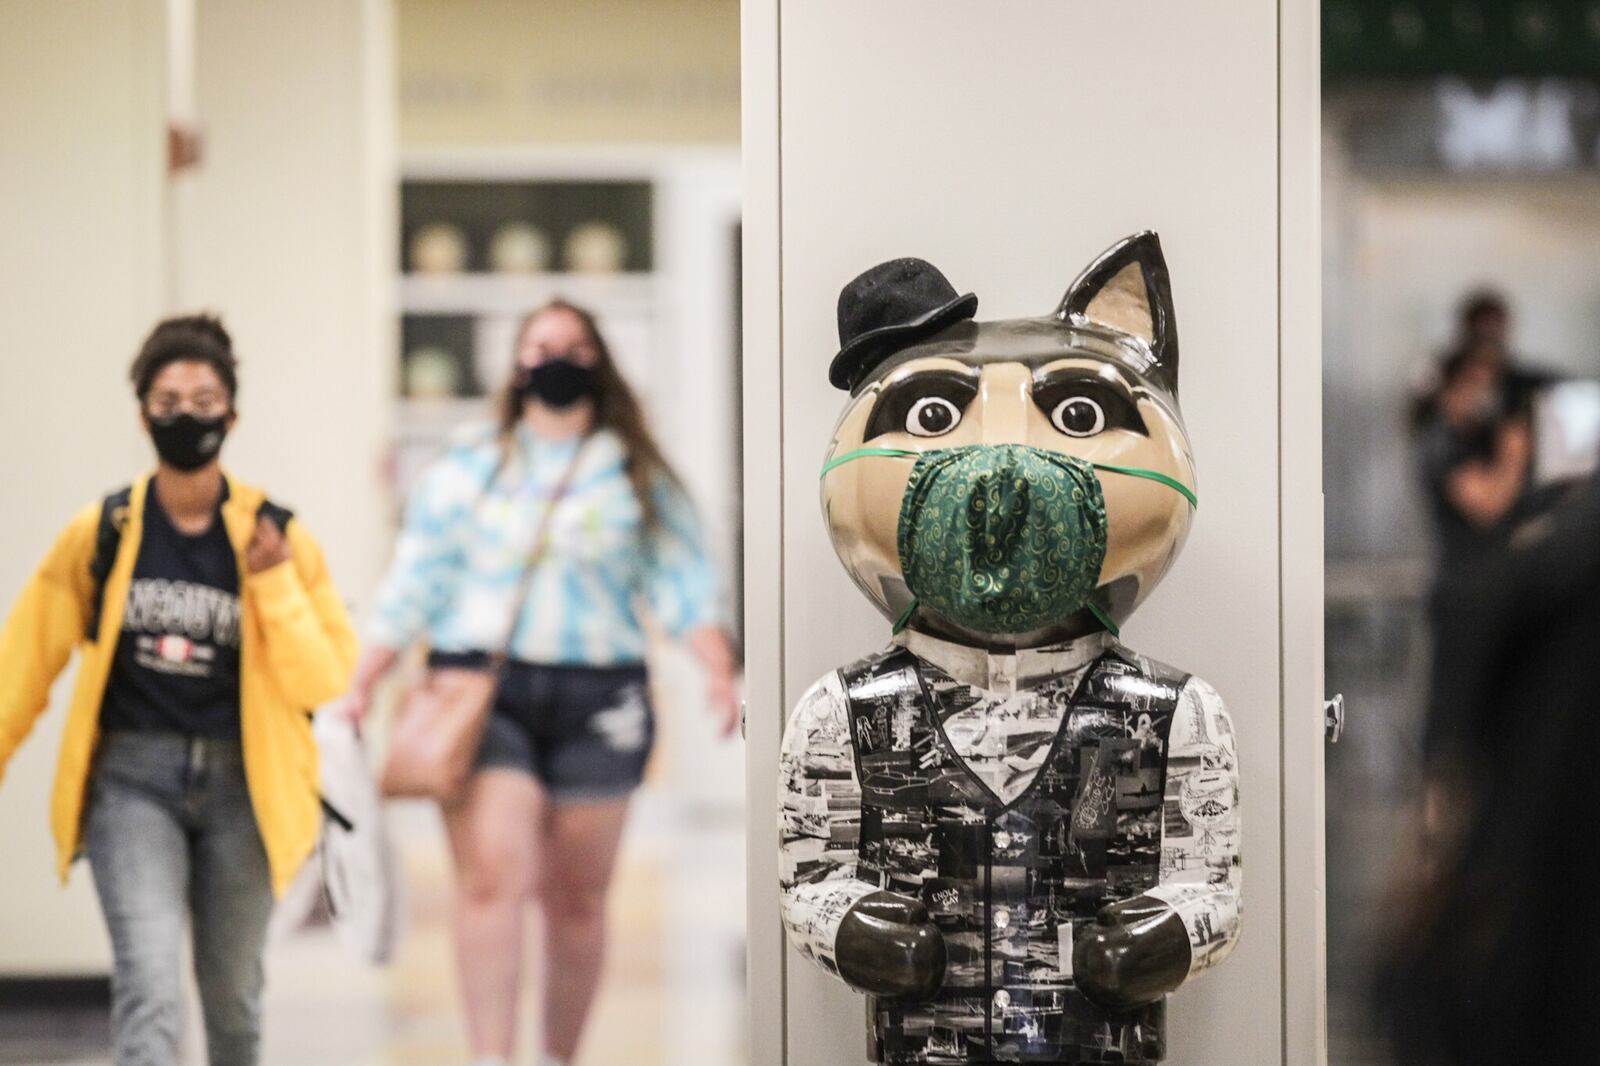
[818, 824]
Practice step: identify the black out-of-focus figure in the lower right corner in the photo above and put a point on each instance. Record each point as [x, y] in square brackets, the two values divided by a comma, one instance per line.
[1494, 956]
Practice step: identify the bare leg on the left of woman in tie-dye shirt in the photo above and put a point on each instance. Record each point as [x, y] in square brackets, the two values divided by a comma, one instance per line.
[494, 838]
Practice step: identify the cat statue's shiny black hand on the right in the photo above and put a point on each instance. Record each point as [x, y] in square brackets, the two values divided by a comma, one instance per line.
[1135, 953]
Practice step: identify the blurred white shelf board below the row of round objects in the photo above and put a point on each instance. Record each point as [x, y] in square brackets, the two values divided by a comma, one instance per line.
[511, 295]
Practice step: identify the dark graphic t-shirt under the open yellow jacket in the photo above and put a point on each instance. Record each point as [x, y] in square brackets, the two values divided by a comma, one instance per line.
[177, 667]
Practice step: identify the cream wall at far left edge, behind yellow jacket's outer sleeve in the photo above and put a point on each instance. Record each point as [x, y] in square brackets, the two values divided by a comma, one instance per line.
[81, 265]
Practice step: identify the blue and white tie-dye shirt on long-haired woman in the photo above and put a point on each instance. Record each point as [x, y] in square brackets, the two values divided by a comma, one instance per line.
[458, 561]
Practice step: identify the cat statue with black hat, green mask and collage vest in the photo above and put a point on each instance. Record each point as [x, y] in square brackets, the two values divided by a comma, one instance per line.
[1015, 835]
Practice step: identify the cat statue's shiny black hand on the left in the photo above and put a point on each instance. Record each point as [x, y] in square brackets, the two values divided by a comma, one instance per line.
[889, 947]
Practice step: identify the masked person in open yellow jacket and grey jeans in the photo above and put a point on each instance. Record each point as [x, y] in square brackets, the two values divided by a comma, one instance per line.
[209, 630]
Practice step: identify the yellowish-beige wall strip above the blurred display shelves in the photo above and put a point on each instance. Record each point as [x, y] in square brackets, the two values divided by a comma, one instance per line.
[479, 73]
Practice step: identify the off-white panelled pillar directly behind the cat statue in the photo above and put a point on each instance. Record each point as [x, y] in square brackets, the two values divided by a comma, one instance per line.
[1010, 145]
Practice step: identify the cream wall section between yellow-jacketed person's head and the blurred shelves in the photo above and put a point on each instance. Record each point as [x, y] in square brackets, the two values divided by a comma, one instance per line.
[287, 231]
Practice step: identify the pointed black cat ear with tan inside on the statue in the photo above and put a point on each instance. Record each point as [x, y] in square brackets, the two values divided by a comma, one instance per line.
[1127, 291]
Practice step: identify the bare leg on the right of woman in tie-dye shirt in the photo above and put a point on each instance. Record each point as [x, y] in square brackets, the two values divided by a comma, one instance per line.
[580, 851]
